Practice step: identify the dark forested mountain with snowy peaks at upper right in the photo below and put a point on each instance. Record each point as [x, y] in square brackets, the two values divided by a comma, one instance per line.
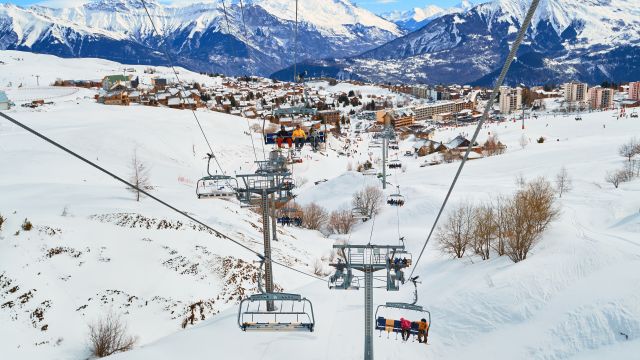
[589, 40]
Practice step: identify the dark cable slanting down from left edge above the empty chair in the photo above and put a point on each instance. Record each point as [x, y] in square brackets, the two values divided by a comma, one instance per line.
[143, 191]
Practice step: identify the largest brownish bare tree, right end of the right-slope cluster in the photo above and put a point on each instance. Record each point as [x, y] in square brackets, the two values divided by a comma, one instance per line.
[529, 214]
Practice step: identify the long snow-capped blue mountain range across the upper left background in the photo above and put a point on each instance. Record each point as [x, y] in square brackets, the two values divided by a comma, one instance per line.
[197, 34]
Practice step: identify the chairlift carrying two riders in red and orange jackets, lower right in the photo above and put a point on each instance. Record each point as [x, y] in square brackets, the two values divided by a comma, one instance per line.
[390, 324]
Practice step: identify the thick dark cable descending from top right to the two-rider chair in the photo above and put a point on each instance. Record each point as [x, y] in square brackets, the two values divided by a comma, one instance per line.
[485, 115]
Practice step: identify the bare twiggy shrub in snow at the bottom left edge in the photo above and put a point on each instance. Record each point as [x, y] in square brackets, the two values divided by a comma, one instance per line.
[108, 336]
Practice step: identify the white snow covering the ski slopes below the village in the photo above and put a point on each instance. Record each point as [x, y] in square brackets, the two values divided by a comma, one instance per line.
[570, 299]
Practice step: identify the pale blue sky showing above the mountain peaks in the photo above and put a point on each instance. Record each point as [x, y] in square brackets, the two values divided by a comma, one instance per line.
[376, 6]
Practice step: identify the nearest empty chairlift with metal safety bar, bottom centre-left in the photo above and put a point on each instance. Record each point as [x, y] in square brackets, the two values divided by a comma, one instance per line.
[291, 312]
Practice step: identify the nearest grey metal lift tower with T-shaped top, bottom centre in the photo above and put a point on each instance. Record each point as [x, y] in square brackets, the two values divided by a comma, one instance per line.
[370, 259]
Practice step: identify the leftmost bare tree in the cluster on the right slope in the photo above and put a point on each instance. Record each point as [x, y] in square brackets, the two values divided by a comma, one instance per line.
[455, 234]
